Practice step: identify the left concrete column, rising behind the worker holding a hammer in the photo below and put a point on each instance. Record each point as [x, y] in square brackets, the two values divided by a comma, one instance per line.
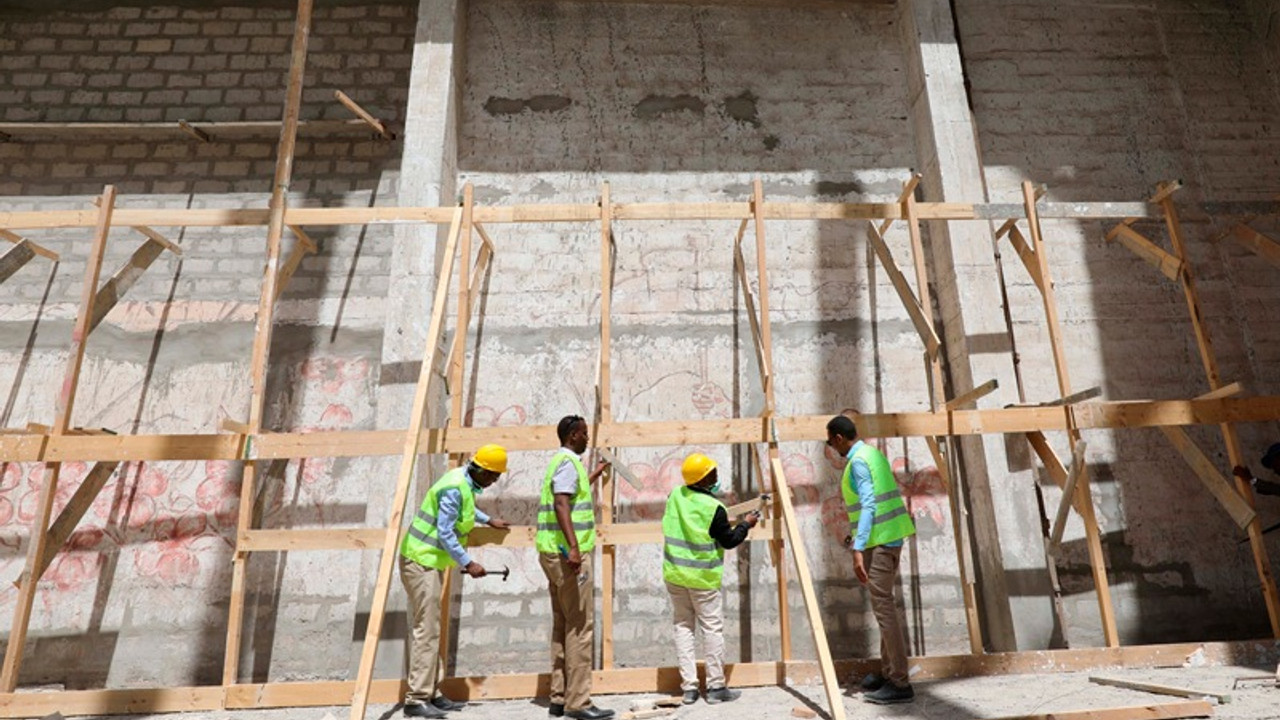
[428, 176]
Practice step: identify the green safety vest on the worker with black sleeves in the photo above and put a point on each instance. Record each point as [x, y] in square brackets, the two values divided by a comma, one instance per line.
[691, 558]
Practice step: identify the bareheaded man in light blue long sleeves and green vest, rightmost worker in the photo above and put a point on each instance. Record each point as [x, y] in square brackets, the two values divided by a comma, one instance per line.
[879, 522]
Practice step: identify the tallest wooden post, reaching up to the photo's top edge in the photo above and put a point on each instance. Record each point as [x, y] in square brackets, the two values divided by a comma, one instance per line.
[263, 331]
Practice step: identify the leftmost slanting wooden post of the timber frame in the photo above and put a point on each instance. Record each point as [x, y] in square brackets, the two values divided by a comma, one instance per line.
[31, 573]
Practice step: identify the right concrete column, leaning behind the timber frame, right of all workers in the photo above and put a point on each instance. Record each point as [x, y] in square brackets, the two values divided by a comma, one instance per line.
[963, 268]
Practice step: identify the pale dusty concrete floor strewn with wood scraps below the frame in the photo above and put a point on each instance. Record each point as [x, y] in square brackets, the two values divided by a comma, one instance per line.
[945, 700]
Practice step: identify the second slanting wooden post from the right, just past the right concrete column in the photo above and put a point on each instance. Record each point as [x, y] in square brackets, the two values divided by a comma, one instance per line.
[1094, 539]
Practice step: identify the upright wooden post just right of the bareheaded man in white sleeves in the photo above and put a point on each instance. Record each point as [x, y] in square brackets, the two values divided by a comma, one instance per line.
[609, 486]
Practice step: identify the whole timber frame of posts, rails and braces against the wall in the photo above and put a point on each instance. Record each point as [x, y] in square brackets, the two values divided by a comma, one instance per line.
[948, 418]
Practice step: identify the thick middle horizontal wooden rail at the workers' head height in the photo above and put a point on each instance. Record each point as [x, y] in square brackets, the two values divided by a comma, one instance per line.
[26, 448]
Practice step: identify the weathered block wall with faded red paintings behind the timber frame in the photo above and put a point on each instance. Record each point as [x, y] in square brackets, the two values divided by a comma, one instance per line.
[666, 103]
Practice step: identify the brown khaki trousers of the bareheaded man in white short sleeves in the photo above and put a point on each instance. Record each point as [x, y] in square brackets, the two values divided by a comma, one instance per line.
[573, 632]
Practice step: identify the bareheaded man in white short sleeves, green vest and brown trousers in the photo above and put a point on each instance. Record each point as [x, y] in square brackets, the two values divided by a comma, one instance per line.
[566, 537]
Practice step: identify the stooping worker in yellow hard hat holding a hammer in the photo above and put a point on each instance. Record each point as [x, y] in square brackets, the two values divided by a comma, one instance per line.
[436, 543]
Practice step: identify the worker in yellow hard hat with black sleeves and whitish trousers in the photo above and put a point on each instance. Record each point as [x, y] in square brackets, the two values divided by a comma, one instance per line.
[696, 535]
